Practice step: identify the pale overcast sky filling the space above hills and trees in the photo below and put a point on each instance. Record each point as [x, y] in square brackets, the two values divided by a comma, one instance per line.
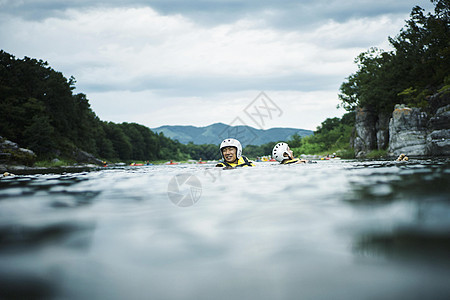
[173, 62]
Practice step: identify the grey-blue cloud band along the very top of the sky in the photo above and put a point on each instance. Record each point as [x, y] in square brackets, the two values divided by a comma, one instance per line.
[282, 14]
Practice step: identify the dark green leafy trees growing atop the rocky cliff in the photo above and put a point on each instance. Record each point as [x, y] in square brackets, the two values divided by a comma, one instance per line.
[417, 66]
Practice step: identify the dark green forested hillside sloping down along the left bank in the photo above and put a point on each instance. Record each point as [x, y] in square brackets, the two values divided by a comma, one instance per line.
[40, 111]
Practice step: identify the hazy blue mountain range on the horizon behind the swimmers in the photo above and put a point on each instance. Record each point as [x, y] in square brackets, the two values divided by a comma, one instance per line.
[215, 133]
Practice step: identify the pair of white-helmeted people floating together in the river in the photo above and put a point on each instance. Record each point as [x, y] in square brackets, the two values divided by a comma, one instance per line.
[231, 151]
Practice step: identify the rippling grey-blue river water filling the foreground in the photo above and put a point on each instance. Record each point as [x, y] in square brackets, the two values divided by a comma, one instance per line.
[329, 230]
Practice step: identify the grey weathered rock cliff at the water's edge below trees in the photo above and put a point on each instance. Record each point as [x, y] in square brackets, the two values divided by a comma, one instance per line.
[408, 130]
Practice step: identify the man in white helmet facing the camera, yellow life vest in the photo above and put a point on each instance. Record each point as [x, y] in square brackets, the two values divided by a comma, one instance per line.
[231, 151]
